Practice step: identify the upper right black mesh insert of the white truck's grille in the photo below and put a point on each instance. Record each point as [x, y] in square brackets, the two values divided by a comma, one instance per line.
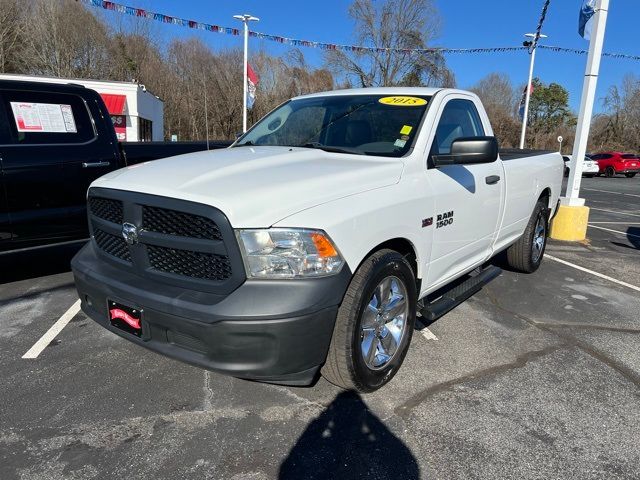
[172, 222]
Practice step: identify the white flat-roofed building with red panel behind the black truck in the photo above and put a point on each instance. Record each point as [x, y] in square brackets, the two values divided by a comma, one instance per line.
[137, 114]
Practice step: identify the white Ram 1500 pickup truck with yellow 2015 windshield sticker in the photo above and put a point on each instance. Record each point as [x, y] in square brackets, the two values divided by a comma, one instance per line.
[309, 246]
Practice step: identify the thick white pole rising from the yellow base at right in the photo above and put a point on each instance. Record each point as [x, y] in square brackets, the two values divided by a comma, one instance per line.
[586, 105]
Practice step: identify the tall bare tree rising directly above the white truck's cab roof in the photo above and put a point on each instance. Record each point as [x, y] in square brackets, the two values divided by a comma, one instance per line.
[392, 28]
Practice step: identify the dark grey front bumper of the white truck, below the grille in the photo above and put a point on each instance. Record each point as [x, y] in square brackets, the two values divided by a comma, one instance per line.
[270, 330]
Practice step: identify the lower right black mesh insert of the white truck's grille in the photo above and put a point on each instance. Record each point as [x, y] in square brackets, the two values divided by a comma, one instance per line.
[206, 266]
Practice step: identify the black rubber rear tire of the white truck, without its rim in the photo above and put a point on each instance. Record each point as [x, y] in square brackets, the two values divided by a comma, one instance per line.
[521, 255]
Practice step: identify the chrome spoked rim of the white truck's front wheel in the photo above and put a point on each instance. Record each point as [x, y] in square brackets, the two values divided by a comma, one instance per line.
[384, 323]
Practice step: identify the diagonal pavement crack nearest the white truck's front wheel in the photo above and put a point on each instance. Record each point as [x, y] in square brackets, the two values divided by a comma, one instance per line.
[405, 408]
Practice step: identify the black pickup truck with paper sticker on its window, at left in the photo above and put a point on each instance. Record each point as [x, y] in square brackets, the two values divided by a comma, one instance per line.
[54, 141]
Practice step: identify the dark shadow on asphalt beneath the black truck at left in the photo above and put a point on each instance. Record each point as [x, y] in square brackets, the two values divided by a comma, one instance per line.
[37, 263]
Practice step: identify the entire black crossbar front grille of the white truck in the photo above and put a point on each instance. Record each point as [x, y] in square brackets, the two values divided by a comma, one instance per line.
[180, 243]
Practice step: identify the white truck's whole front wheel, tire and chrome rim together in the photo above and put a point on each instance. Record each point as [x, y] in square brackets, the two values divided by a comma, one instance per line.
[374, 324]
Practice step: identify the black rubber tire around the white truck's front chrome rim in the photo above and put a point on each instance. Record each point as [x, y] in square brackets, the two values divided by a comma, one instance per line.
[345, 365]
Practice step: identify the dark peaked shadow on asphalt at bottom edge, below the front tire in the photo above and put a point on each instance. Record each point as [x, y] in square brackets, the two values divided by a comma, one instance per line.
[348, 441]
